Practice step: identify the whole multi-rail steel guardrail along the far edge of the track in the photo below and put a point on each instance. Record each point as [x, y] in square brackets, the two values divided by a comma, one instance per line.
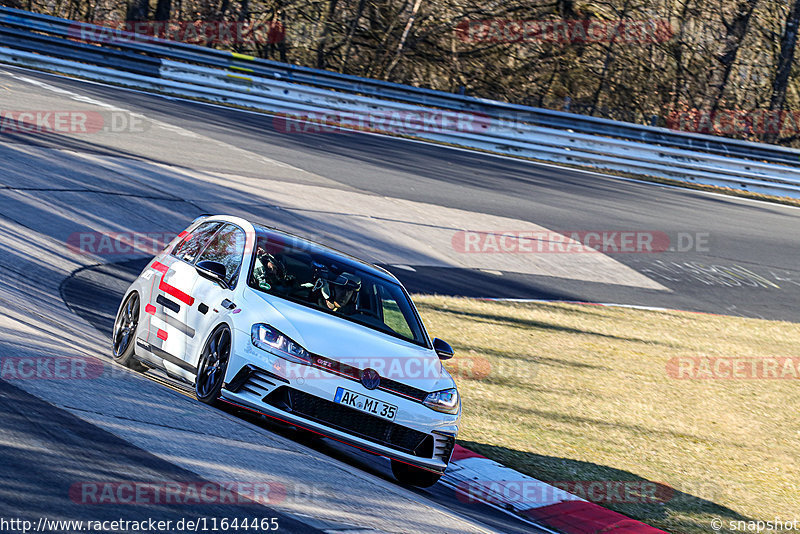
[41, 41]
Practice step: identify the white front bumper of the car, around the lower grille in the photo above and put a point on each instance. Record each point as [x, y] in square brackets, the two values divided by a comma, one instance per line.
[262, 382]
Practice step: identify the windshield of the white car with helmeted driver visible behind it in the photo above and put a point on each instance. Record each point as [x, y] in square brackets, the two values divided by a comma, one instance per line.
[312, 277]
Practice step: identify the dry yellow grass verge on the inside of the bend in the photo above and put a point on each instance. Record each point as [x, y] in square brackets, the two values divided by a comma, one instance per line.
[583, 393]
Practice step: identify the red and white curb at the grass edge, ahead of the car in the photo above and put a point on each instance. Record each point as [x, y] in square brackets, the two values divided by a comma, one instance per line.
[479, 479]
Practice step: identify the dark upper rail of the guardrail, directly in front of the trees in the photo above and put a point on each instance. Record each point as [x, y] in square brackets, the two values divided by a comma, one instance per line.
[403, 93]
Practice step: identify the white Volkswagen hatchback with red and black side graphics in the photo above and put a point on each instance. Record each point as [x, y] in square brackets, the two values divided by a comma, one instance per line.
[273, 323]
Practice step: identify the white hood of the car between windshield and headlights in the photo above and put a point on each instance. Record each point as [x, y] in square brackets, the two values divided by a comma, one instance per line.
[351, 343]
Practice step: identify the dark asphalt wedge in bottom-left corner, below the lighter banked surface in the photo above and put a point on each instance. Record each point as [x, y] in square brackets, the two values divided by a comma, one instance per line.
[49, 445]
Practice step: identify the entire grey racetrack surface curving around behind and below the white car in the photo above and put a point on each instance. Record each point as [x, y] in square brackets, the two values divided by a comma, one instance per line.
[394, 201]
